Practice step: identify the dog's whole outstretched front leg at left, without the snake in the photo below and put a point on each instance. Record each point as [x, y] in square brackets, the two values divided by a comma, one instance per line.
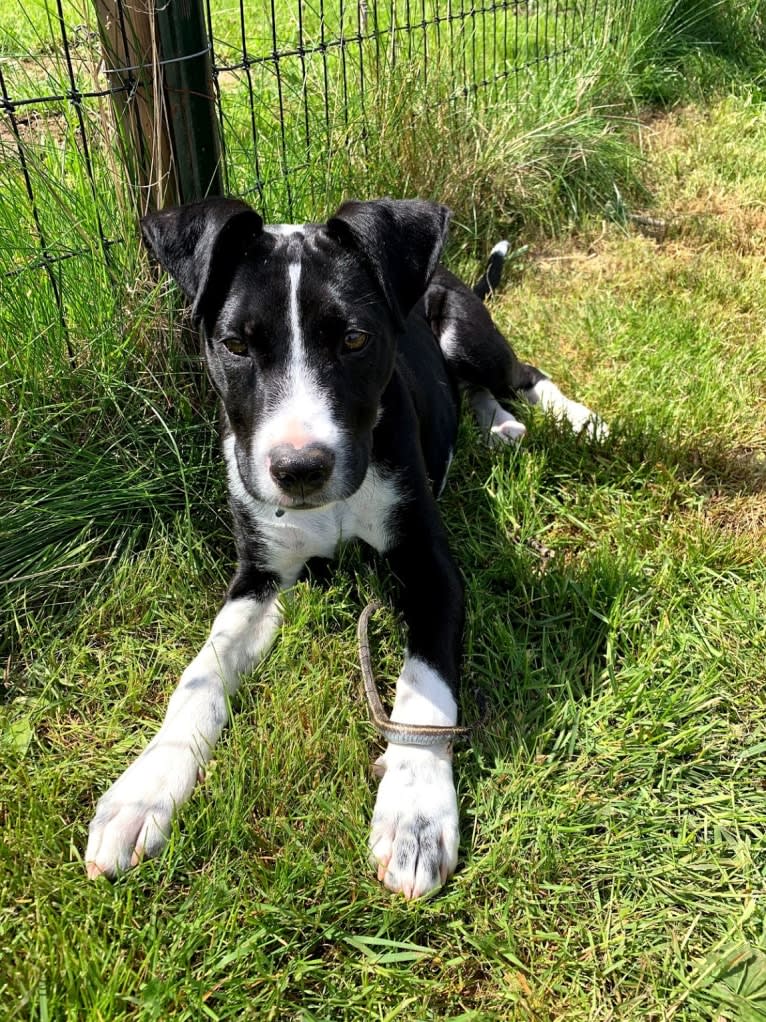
[133, 818]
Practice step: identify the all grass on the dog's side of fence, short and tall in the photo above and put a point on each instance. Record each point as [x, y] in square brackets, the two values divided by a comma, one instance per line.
[612, 858]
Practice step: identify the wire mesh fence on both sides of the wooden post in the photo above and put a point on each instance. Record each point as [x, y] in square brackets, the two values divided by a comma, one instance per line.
[297, 89]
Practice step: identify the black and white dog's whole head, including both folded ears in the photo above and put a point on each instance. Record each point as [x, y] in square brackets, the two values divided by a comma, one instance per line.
[301, 328]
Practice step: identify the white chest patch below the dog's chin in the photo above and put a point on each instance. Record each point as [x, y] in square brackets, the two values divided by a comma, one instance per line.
[293, 537]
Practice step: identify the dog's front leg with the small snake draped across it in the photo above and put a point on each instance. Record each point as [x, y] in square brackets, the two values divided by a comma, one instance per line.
[415, 833]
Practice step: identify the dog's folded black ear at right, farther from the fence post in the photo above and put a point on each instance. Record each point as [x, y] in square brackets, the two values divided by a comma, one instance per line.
[401, 242]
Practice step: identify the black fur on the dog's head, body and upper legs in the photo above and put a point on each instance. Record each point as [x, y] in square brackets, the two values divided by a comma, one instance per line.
[374, 266]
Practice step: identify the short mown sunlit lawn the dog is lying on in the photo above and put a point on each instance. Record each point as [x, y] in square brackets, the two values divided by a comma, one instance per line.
[613, 853]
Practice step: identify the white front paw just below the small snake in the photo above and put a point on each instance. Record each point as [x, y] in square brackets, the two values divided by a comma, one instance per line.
[415, 835]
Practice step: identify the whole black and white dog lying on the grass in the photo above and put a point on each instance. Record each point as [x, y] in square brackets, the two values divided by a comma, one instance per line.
[339, 352]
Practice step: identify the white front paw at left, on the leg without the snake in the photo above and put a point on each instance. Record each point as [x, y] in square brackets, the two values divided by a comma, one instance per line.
[133, 818]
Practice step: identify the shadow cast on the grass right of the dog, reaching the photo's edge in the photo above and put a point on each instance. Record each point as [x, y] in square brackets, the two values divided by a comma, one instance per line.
[542, 625]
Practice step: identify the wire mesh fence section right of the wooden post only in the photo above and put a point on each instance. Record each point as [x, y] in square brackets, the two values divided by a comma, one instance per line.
[298, 89]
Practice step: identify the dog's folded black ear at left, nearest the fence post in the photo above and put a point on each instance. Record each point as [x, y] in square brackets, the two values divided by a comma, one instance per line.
[198, 243]
